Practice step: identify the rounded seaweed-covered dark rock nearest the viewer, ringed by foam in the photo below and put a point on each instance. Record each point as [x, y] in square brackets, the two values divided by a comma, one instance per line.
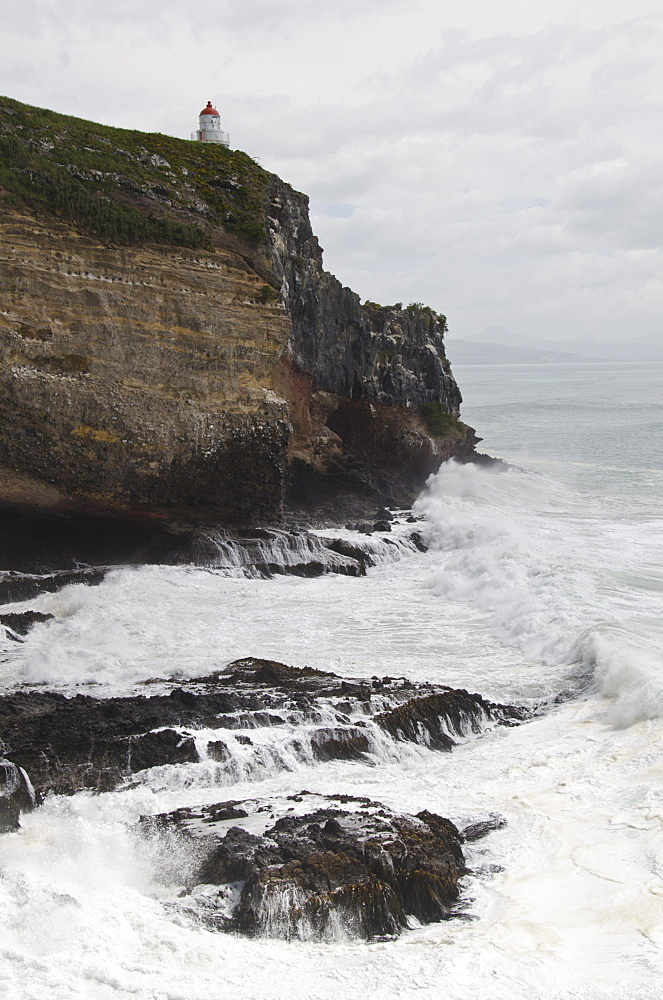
[339, 866]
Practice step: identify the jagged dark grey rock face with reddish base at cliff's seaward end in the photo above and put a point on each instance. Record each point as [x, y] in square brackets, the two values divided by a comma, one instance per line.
[356, 376]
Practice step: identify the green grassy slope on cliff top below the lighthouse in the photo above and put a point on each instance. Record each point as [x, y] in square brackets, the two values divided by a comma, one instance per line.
[125, 186]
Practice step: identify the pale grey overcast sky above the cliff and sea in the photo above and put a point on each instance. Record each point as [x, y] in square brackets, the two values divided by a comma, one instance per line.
[500, 162]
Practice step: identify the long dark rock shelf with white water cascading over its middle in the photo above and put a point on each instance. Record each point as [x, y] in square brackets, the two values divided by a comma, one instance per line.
[66, 744]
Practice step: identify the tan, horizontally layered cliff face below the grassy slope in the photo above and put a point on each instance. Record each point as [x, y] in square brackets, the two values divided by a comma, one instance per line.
[137, 379]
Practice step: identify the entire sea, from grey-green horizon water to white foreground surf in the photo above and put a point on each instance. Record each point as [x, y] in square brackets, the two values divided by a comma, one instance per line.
[542, 587]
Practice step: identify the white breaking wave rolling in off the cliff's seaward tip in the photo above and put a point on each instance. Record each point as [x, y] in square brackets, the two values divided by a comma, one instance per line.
[516, 547]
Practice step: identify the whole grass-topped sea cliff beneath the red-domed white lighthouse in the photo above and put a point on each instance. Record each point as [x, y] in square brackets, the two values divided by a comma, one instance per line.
[171, 347]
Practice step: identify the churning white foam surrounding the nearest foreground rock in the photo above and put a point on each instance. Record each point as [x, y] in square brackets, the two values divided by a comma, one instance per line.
[575, 909]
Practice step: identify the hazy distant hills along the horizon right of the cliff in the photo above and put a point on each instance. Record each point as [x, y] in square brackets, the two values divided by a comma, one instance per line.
[498, 345]
